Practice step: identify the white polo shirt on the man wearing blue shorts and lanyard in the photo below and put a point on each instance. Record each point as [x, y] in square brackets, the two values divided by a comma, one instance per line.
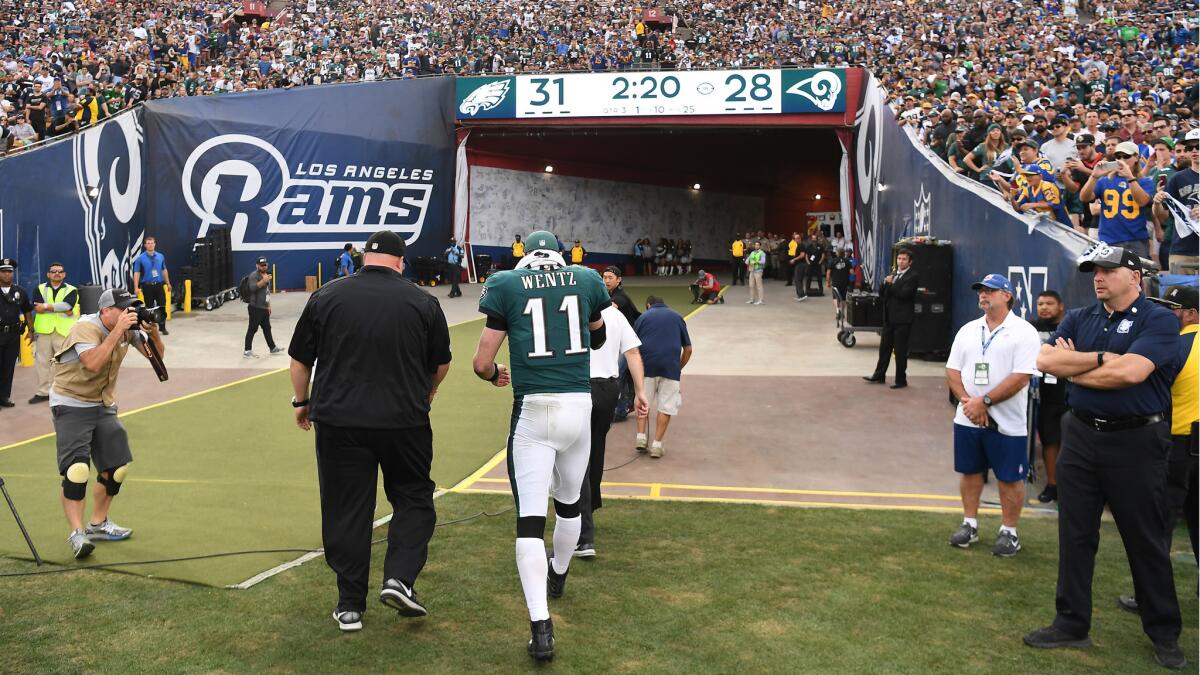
[1013, 348]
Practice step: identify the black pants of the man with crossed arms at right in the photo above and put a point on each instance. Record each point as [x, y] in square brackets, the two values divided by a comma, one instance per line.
[1126, 471]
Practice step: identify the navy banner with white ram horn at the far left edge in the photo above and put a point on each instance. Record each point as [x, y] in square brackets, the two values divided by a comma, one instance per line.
[80, 202]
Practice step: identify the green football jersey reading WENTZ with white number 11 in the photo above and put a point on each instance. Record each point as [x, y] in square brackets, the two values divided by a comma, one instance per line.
[548, 314]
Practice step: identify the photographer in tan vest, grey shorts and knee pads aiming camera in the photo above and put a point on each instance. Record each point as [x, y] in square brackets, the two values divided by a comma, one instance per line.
[85, 411]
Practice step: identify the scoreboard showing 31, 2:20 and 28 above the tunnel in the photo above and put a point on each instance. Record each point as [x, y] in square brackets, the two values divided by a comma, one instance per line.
[652, 94]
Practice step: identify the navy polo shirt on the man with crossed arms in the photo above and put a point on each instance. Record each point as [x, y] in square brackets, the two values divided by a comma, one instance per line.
[1145, 328]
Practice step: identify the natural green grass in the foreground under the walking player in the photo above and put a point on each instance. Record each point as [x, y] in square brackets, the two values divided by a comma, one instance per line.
[677, 588]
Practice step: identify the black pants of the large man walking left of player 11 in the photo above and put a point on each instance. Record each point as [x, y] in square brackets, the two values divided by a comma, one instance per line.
[349, 463]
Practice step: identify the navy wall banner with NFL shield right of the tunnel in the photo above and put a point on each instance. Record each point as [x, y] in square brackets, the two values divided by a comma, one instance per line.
[903, 190]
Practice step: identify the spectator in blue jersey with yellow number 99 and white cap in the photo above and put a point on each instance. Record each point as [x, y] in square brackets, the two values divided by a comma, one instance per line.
[1124, 200]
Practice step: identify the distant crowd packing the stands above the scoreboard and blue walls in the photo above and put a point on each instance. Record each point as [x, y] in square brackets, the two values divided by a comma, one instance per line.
[70, 64]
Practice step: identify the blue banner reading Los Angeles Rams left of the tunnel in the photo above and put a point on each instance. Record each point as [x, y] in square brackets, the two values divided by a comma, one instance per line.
[297, 175]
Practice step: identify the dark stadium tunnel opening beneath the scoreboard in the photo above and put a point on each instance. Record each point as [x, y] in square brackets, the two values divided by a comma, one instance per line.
[615, 184]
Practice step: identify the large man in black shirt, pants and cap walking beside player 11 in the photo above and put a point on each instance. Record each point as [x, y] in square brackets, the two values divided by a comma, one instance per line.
[383, 348]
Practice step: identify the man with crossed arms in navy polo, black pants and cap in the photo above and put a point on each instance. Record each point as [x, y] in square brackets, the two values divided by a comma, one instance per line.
[1121, 356]
